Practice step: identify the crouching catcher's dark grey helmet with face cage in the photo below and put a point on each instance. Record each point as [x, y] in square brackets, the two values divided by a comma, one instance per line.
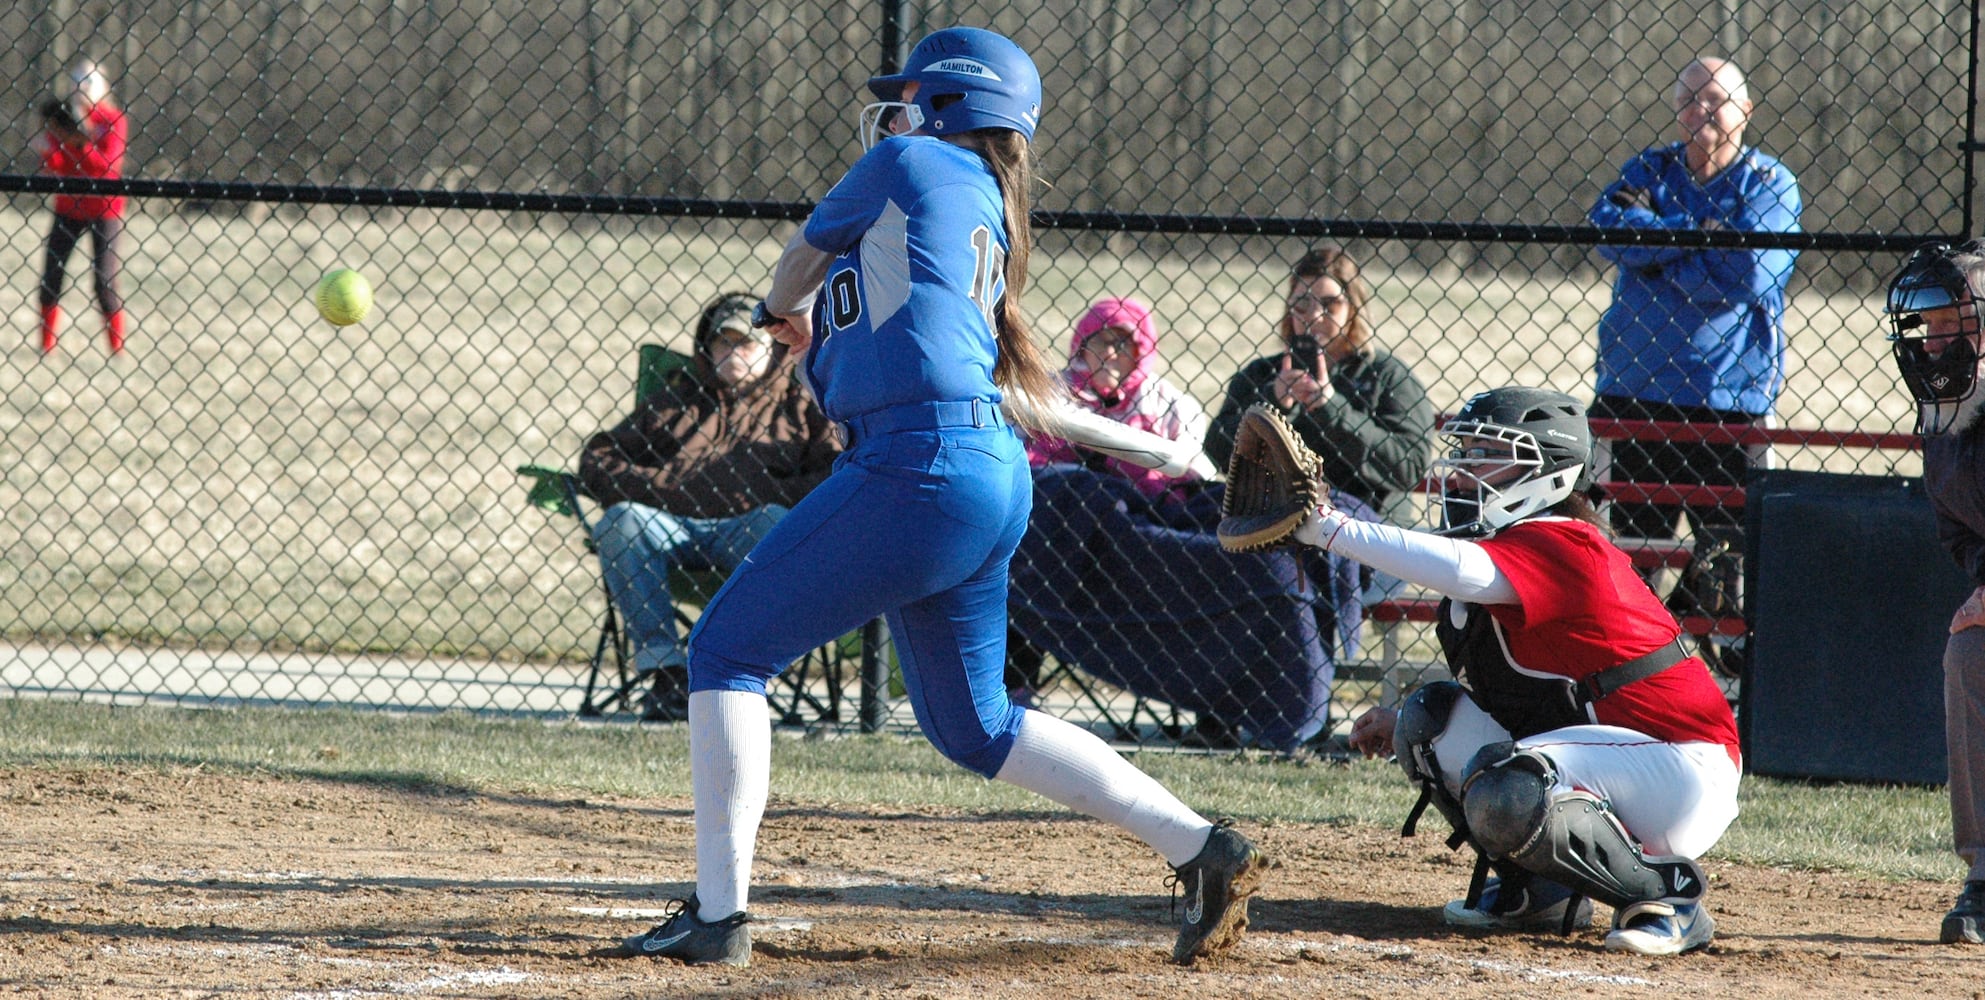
[1510, 453]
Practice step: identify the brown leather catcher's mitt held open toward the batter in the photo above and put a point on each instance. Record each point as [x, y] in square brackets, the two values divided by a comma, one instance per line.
[1273, 483]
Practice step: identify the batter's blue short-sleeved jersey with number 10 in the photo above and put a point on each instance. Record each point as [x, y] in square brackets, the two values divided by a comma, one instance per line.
[918, 235]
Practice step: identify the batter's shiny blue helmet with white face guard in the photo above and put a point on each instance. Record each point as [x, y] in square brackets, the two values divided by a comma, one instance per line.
[968, 78]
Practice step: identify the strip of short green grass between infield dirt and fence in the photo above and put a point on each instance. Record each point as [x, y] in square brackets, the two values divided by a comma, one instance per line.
[1875, 830]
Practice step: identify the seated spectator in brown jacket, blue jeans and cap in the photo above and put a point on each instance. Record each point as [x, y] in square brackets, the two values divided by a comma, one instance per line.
[698, 475]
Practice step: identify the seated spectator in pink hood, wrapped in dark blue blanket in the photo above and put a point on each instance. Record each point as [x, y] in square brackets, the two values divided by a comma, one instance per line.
[1123, 576]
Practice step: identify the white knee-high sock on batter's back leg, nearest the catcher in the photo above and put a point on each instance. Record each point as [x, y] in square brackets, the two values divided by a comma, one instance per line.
[1075, 769]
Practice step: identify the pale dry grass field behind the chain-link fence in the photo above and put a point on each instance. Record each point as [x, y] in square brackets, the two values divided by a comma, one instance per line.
[255, 479]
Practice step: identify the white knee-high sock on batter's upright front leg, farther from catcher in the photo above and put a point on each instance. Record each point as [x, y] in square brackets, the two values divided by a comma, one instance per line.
[731, 775]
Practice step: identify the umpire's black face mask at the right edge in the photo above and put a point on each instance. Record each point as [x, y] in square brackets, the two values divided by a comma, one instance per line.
[1934, 330]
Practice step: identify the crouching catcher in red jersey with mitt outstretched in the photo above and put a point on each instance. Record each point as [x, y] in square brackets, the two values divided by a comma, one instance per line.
[1579, 749]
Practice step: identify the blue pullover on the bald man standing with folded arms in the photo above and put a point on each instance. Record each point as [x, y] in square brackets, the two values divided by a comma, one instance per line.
[1698, 328]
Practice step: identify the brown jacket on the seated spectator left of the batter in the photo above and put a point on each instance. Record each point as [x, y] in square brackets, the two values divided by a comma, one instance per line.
[700, 449]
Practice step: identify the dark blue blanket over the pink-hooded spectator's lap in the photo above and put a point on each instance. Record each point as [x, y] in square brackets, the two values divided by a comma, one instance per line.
[1144, 598]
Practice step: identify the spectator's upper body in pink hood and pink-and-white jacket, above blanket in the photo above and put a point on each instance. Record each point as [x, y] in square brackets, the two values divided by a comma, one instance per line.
[1111, 370]
